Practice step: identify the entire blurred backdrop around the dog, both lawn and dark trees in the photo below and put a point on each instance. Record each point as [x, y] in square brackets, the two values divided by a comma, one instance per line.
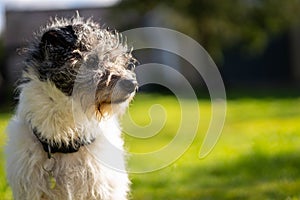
[254, 43]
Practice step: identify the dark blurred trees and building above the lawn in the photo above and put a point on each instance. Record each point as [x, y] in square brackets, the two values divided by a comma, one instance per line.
[255, 43]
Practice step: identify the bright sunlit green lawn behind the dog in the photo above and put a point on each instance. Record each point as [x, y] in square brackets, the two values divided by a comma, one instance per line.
[256, 157]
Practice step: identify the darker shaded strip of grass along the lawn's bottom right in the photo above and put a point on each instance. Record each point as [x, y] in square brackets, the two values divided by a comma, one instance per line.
[250, 177]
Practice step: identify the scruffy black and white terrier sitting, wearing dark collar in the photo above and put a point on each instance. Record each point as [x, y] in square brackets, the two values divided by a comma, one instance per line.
[64, 142]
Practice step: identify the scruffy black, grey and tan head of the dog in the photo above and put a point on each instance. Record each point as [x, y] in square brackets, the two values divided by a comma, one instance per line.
[84, 61]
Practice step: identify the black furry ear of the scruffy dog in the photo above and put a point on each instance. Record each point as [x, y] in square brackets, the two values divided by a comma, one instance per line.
[57, 39]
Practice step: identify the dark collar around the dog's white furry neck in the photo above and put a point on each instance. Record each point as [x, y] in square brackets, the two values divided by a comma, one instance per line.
[72, 147]
